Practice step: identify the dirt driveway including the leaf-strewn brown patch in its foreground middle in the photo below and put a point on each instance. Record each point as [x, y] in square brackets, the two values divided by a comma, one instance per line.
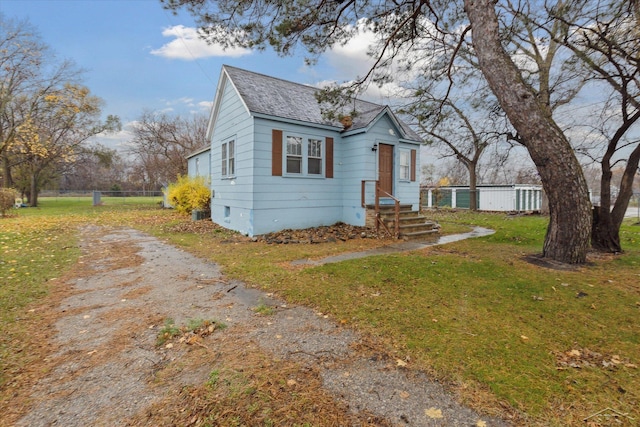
[106, 368]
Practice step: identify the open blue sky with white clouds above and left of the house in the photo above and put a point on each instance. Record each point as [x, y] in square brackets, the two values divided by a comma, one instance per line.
[138, 56]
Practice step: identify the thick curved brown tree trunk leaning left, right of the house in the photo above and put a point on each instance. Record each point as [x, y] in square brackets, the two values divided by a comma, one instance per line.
[567, 238]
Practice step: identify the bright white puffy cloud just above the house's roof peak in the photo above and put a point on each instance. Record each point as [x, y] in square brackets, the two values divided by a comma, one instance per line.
[188, 45]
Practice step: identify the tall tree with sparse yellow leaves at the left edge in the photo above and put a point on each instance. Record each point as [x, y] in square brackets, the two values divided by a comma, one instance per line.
[46, 114]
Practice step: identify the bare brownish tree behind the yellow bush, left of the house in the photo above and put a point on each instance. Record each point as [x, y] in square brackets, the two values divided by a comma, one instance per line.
[161, 143]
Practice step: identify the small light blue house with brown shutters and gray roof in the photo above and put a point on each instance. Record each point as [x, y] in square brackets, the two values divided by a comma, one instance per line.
[276, 163]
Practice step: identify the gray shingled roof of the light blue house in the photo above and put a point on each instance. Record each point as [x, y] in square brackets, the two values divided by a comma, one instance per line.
[280, 98]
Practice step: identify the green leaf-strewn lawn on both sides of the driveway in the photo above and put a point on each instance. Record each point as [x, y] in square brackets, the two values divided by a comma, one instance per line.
[550, 346]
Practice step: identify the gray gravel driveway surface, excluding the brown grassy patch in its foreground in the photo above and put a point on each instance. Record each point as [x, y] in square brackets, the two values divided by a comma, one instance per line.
[106, 364]
